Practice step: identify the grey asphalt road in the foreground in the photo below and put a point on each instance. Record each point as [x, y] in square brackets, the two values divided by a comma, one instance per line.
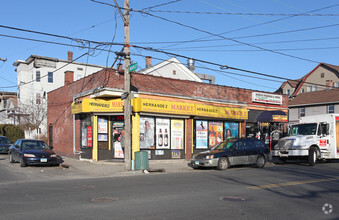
[291, 191]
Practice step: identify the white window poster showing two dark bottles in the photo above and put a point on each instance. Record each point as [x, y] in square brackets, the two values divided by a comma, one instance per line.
[162, 133]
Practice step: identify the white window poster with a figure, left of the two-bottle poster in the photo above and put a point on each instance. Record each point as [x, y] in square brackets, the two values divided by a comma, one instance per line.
[146, 133]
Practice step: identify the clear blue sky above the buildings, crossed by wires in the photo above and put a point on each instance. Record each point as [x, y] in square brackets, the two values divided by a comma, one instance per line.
[264, 36]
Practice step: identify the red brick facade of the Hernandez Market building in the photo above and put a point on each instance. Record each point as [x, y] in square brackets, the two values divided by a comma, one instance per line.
[60, 100]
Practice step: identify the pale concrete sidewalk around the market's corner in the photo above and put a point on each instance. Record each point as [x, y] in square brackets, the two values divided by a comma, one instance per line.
[117, 168]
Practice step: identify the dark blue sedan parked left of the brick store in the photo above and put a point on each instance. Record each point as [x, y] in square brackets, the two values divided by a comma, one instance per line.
[32, 152]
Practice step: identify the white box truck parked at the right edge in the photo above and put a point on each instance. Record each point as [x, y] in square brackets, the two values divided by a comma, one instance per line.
[314, 137]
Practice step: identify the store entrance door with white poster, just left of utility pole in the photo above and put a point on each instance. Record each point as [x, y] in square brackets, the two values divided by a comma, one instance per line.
[117, 126]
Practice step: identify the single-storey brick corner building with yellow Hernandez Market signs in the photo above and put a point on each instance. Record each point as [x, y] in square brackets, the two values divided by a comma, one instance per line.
[171, 118]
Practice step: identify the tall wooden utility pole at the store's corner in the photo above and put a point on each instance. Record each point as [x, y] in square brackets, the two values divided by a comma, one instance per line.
[127, 89]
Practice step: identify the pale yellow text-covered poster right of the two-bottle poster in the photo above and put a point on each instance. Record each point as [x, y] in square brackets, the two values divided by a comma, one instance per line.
[177, 134]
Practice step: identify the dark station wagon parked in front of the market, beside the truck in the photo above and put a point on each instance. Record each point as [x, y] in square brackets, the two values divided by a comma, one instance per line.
[233, 152]
